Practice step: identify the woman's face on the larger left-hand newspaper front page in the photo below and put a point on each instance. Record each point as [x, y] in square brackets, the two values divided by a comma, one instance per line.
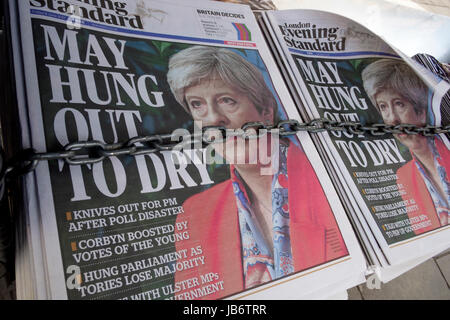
[215, 103]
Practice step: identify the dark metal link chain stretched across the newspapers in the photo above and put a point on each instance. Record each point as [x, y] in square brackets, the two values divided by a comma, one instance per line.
[90, 152]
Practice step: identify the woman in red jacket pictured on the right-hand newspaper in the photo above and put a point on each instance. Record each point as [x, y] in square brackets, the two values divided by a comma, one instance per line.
[401, 97]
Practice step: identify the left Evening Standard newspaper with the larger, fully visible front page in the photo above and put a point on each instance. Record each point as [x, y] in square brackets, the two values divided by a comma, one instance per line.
[172, 224]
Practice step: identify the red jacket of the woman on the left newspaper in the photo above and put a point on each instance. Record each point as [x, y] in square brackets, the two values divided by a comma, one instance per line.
[213, 224]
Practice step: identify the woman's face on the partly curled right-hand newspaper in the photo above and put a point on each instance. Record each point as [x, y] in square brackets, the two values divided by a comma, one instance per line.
[395, 109]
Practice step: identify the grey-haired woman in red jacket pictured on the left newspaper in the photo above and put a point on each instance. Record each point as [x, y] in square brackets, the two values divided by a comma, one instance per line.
[253, 227]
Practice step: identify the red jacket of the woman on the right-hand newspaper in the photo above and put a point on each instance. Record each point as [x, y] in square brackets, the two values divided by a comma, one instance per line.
[414, 186]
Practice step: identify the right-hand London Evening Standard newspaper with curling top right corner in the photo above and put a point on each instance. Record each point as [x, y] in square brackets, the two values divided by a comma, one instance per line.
[343, 72]
